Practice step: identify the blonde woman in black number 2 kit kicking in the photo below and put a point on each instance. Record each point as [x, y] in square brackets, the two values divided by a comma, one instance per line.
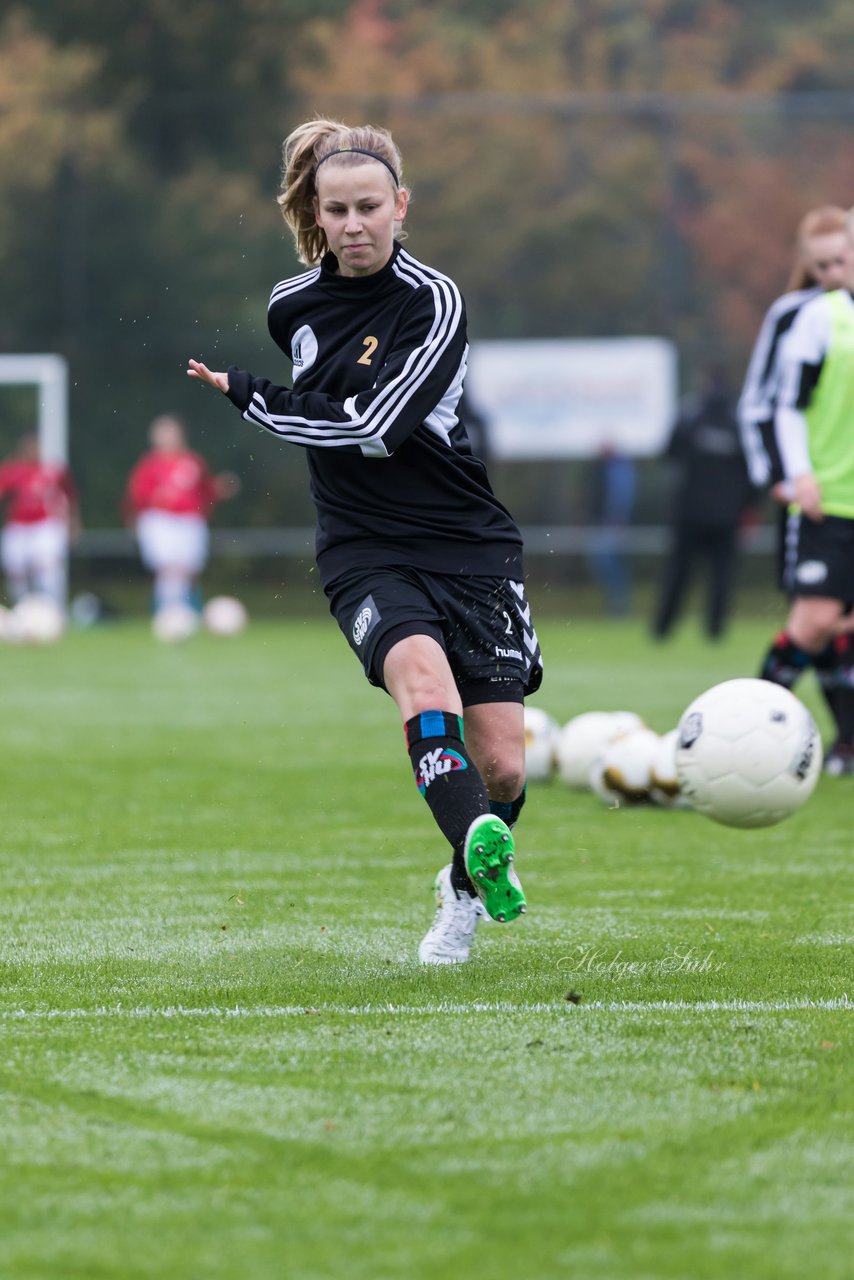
[422, 565]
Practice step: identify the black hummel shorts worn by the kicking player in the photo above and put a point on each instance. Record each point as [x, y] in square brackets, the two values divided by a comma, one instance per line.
[483, 624]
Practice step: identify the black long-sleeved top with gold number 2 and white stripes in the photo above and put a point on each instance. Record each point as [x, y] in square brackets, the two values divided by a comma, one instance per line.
[378, 369]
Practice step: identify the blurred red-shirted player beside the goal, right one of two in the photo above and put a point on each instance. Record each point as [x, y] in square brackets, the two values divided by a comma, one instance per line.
[170, 499]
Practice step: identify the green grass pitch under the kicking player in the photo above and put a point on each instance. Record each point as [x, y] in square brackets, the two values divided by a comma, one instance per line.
[222, 1060]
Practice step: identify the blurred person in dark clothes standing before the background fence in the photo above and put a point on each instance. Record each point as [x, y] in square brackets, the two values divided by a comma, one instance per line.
[714, 501]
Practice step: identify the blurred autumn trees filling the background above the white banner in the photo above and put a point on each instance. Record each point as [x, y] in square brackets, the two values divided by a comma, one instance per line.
[582, 167]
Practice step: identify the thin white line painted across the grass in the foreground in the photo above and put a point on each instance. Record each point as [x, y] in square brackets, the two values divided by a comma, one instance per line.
[609, 1007]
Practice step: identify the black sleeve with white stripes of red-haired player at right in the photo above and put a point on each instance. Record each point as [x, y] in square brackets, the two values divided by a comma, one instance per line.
[761, 390]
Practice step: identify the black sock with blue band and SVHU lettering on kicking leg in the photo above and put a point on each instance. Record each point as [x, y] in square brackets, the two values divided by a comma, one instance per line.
[449, 780]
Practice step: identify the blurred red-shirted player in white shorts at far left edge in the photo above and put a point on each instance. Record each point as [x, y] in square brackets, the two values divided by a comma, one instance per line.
[42, 515]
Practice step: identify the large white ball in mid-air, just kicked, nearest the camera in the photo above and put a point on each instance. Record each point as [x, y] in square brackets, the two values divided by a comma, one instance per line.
[748, 753]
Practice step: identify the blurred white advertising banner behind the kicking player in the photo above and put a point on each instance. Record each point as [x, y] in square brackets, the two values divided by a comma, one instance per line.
[573, 399]
